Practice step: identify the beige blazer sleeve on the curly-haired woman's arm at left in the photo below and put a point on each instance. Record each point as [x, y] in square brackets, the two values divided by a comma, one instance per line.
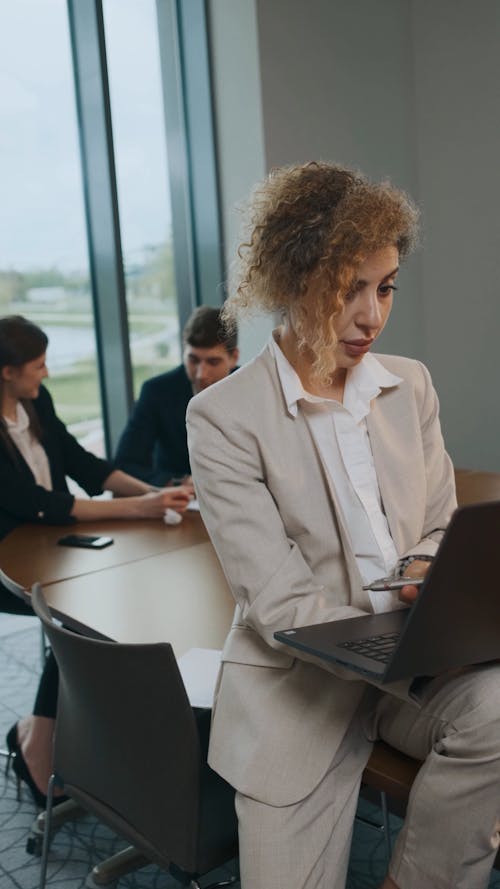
[269, 577]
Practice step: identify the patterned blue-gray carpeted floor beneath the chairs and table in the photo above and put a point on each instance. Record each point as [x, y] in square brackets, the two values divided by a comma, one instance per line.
[78, 845]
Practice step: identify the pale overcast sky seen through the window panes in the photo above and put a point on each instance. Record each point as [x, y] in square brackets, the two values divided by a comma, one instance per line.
[42, 221]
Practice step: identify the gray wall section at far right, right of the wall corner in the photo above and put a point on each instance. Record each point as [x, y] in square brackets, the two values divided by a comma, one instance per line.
[457, 65]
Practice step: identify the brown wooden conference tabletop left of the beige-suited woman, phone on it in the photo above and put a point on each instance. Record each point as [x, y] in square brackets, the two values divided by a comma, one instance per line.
[155, 583]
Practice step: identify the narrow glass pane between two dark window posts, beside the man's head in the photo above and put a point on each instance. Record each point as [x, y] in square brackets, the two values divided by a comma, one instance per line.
[143, 188]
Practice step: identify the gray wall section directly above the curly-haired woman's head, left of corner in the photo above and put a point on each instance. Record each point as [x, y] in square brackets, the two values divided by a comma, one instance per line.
[336, 91]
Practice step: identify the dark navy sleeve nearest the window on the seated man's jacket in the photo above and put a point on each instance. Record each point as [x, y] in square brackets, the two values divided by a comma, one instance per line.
[135, 451]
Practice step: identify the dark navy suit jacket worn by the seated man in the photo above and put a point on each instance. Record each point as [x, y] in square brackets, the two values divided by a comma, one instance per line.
[153, 446]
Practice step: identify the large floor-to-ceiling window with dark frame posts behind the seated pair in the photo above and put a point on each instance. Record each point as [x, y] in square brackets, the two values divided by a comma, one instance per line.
[109, 234]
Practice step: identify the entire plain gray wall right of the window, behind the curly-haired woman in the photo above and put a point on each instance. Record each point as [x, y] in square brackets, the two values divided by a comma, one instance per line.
[407, 89]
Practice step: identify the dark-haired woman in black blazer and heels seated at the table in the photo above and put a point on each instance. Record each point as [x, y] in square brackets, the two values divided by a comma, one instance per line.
[37, 453]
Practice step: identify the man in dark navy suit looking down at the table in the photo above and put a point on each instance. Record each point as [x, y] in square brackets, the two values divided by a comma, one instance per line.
[153, 446]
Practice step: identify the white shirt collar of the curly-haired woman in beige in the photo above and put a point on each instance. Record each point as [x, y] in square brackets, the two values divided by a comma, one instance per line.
[364, 382]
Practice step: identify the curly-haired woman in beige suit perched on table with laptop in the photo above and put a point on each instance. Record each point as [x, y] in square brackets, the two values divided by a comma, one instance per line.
[320, 467]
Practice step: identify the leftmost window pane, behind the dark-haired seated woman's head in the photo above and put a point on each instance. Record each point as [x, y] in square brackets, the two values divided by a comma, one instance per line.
[44, 272]
